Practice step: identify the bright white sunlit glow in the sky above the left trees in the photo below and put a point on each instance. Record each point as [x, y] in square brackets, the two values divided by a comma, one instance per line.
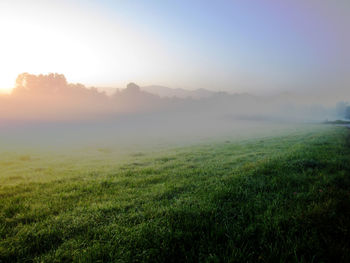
[84, 47]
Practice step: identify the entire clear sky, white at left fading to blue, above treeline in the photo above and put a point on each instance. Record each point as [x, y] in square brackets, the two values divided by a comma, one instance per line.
[259, 46]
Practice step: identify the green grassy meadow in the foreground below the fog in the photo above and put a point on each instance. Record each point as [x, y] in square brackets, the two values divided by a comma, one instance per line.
[283, 198]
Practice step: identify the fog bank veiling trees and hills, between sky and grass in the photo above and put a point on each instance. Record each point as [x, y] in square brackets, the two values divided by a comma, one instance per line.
[48, 111]
